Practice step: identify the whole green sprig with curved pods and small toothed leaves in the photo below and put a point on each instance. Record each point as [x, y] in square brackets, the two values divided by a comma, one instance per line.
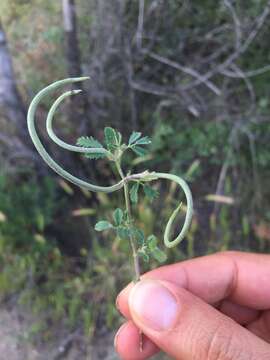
[114, 151]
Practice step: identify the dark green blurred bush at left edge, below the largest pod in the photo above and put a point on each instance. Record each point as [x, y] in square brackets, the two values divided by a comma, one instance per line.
[24, 225]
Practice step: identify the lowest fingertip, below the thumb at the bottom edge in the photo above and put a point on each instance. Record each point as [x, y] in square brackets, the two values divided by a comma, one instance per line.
[127, 343]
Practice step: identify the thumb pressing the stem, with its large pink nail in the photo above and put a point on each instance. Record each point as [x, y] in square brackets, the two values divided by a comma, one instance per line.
[186, 328]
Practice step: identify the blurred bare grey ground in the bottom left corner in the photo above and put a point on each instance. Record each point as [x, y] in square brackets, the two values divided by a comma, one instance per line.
[16, 345]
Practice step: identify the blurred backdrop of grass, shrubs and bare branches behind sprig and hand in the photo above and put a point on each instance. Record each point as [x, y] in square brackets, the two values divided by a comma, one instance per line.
[192, 75]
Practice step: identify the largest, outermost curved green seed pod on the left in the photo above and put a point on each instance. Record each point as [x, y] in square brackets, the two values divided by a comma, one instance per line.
[42, 151]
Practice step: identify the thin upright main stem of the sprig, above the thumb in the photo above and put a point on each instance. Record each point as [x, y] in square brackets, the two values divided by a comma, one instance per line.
[129, 222]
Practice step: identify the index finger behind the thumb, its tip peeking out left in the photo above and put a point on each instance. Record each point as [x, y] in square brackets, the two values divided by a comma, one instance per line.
[230, 275]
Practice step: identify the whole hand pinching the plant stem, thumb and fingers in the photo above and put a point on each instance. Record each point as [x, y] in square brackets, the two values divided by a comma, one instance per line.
[210, 308]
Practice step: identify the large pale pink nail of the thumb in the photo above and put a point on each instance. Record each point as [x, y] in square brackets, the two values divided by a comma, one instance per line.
[154, 305]
